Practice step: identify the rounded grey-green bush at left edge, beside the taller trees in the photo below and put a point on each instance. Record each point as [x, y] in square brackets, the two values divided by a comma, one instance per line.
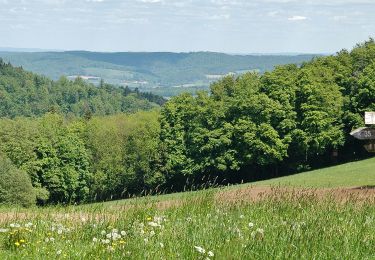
[15, 185]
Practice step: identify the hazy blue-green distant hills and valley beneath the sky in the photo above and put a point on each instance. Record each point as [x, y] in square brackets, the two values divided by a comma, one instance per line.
[149, 71]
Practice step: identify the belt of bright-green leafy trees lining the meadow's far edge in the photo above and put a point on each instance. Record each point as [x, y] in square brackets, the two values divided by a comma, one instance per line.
[248, 127]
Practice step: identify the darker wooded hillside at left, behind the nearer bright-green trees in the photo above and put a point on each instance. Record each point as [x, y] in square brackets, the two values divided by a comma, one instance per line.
[26, 94]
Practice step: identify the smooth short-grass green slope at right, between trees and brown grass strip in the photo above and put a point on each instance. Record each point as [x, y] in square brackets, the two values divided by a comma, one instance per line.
[353, 174]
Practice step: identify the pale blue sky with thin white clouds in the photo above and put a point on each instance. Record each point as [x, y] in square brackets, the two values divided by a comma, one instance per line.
[231, 26]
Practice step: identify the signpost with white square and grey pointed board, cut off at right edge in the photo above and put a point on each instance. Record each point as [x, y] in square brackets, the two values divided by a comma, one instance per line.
[367, 133]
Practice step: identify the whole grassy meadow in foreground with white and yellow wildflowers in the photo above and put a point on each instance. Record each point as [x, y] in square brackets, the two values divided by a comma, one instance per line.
[323, 214]
